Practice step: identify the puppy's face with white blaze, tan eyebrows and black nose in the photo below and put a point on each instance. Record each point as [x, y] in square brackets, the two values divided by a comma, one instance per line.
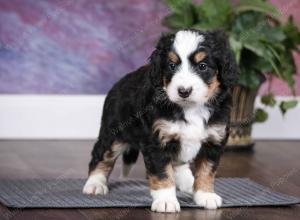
[189, 71]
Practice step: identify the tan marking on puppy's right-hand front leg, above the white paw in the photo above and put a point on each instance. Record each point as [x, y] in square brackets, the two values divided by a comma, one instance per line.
[204, 176]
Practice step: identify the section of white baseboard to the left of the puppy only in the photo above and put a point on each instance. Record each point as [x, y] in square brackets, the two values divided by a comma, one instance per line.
[50, 116]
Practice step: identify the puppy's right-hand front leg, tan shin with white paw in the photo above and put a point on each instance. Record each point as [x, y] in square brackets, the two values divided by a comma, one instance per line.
[205, 172]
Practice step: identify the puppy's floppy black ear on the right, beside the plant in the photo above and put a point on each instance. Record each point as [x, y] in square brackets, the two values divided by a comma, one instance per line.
[227, 66]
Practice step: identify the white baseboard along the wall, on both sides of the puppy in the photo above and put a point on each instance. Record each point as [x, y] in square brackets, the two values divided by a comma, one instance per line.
[78, 117]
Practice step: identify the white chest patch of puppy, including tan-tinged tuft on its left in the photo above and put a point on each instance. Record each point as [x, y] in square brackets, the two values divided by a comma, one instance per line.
[190, 133]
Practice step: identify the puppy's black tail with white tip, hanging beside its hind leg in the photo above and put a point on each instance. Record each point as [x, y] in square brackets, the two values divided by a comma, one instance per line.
[129, 157]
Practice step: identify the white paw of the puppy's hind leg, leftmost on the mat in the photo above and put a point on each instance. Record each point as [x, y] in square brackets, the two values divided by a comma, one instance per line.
[95, 185]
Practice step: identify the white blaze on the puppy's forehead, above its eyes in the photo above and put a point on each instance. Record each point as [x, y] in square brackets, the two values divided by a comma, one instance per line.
[187, 42]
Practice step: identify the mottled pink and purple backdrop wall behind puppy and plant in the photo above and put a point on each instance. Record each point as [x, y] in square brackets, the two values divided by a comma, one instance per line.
[84, 46]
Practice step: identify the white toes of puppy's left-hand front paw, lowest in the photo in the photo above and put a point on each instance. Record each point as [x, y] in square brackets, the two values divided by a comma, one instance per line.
[165, 205]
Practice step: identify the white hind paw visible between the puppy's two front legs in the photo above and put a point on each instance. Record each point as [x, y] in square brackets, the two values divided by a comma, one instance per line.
[184, 178]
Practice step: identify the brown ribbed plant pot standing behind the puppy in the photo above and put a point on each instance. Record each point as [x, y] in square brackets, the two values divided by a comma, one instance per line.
[242, 118]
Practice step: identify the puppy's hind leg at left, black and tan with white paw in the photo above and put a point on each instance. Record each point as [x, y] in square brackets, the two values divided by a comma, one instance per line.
[101, 165]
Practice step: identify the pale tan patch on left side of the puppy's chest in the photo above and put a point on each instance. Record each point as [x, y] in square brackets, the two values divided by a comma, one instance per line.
[165, 134]
